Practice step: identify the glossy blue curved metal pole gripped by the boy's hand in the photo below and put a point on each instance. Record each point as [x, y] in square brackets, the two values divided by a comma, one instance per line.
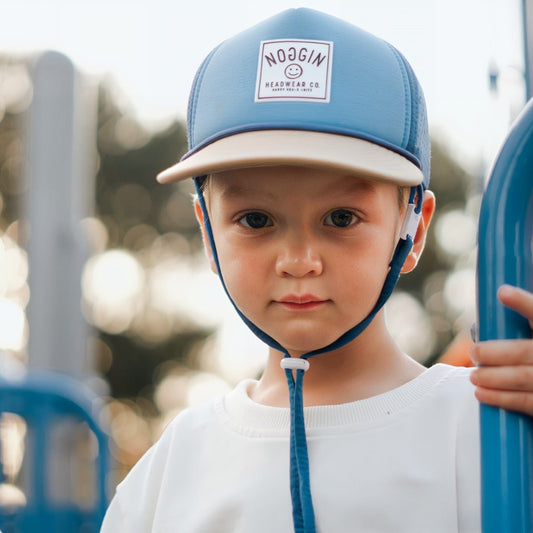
[505, 256]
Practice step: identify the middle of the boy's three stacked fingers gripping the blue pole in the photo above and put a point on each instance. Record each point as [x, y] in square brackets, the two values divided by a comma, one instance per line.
[504, 378]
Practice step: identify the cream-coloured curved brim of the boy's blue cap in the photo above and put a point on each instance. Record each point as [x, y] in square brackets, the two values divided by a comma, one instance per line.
[341, 153]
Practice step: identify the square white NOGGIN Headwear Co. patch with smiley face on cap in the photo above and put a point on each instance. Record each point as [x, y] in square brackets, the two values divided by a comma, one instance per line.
[294, 70]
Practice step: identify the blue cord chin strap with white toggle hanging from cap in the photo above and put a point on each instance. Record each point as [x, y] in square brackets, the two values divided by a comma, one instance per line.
[295, 368]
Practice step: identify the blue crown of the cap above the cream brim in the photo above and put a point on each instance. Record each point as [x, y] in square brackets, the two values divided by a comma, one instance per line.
[303, 69]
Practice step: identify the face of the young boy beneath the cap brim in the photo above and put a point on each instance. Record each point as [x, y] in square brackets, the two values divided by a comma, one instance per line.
[303, 252]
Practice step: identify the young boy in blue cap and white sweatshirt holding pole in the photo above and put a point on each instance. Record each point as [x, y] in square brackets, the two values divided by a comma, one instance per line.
[310, 151]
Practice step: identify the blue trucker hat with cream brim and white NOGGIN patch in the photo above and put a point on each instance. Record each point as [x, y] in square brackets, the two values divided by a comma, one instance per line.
[306, 88]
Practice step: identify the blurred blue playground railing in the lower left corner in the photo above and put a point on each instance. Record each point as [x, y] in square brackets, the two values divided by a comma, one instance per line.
[45, 402]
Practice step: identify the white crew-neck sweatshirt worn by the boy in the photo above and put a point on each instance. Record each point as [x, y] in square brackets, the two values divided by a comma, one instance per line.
[403, 461]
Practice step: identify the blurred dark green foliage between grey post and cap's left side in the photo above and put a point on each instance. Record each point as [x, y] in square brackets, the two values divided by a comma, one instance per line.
[130, 157]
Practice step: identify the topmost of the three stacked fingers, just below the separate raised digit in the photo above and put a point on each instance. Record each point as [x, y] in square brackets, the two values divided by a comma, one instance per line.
[503, 352]
